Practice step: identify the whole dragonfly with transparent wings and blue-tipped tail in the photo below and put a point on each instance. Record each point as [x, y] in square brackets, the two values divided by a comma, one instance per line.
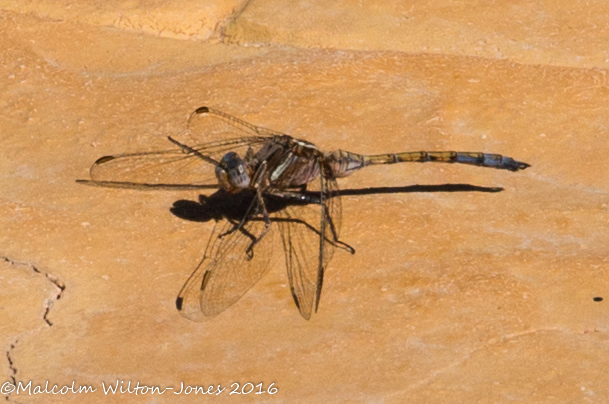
[276, 184]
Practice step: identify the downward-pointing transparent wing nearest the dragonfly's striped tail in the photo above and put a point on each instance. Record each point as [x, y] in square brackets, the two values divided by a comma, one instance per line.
[310, 235]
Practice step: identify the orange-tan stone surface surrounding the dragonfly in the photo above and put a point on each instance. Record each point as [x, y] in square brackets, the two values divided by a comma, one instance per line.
[451, 297]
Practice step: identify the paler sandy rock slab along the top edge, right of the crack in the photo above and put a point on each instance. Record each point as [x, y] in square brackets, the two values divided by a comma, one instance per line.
[542, 32]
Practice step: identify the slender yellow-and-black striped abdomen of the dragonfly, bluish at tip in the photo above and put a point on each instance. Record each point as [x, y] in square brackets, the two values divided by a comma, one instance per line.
[344, 163]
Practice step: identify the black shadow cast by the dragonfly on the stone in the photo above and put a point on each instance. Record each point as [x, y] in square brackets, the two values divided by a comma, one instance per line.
[224, 205]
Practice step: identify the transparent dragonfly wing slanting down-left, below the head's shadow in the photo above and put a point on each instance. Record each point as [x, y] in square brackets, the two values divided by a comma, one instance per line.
[226, 272]
